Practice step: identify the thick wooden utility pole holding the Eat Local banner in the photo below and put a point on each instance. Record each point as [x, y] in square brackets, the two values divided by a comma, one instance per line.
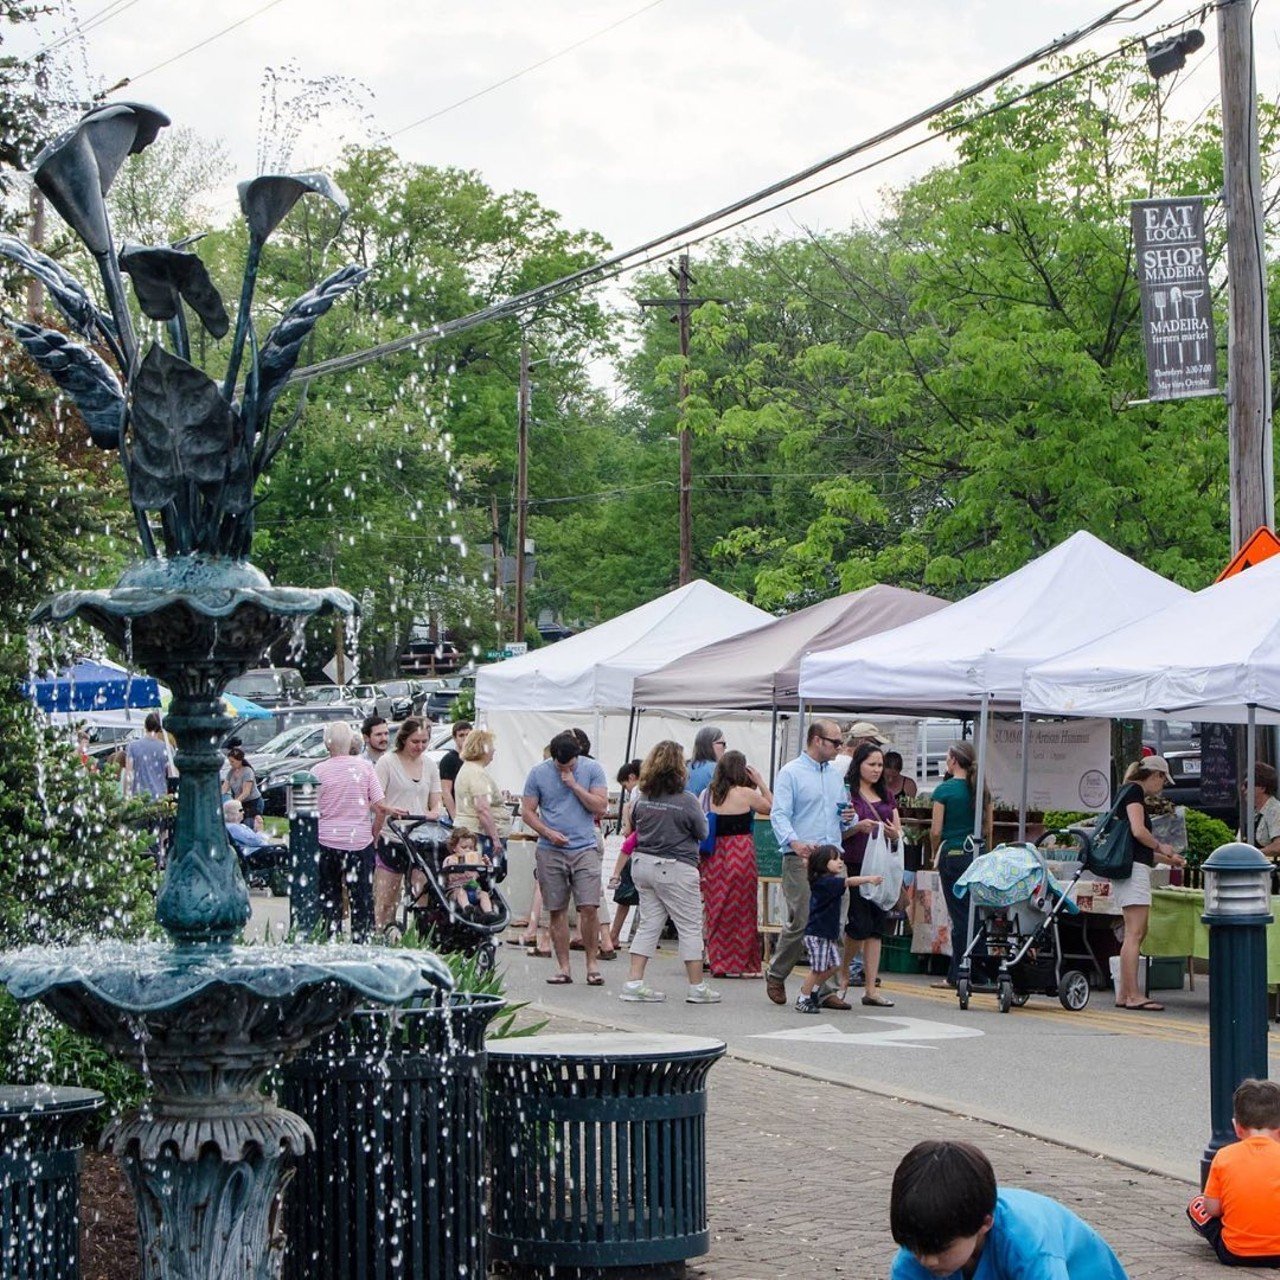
[1249, 380]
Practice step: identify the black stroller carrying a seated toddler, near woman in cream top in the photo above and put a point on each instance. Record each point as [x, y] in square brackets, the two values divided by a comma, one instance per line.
[418, 847]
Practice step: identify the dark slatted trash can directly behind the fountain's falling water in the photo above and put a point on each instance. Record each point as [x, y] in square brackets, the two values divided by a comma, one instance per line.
[395, 1188]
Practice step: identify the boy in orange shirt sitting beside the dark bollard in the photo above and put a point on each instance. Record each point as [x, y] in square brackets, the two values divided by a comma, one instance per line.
[1240, 1213]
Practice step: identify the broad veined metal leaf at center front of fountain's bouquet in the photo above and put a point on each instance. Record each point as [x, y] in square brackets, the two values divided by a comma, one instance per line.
[182, 431]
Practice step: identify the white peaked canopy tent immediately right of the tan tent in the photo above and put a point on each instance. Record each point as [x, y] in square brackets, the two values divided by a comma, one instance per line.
[972, 656]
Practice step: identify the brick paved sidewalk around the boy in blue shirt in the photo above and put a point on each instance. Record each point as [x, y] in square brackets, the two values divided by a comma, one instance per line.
[799, 1173]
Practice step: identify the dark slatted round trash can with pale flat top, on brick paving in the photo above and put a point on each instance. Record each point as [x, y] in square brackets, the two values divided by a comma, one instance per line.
[598, 1149]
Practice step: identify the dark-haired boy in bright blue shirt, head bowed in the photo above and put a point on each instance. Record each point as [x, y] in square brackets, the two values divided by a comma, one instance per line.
[952, 1222]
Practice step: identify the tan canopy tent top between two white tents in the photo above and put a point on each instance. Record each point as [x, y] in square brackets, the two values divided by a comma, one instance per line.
[761, 669]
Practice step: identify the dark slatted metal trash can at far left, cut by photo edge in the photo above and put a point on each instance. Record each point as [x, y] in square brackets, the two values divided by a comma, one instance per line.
[40, 1165]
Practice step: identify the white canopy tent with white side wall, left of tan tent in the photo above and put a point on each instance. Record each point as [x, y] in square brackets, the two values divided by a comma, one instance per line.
[588, 679]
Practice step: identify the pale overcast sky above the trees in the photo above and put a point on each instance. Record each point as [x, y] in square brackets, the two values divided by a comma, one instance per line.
[682, 108]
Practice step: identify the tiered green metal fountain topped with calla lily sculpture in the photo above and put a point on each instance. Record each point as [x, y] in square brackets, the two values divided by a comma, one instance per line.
[204, 1018]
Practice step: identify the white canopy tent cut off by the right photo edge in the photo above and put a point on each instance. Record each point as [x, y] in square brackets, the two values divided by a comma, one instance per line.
[1214, 656]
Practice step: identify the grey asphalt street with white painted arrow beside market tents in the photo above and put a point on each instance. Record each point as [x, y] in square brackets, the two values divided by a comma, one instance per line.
[1128, 1086]
